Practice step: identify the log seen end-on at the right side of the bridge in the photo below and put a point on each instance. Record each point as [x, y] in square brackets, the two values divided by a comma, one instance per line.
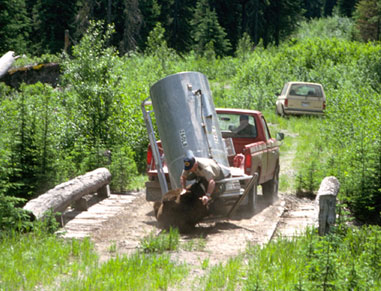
[326, 200]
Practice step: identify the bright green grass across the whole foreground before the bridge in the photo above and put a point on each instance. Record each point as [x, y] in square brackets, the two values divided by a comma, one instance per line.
[346, 259]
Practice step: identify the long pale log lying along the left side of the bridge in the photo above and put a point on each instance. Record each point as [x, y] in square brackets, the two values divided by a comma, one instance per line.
[63, 195]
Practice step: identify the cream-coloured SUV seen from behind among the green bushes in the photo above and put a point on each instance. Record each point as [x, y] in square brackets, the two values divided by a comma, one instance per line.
[301, 98]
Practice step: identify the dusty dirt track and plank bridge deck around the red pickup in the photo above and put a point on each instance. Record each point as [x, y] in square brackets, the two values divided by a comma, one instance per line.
[121, 221]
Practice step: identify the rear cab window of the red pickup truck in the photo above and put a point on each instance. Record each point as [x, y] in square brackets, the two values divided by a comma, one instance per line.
[237, 125]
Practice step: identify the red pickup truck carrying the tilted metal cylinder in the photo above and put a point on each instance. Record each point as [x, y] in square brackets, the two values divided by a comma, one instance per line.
[250, 149]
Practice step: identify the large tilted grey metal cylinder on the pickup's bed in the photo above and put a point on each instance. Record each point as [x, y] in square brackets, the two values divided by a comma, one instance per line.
[186, 120]
